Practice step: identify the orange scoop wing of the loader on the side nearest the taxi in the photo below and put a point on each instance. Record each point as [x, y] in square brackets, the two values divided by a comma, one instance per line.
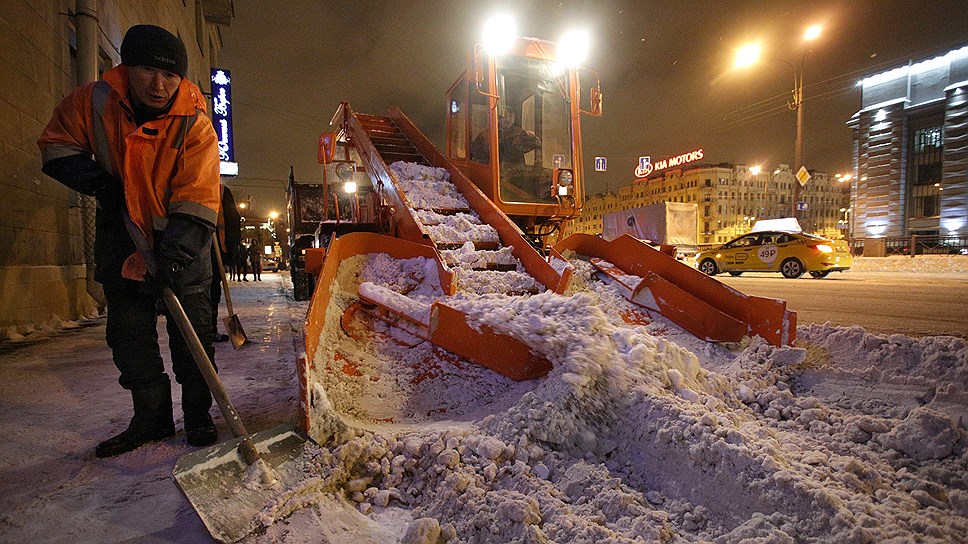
[698, 303]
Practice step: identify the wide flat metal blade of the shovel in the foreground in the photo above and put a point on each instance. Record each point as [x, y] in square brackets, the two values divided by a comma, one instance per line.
[225, 493]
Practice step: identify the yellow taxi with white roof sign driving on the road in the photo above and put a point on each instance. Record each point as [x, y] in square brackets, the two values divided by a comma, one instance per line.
[790, 253]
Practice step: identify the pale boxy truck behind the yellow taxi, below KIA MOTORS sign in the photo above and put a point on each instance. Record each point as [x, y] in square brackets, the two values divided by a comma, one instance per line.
[664, 223]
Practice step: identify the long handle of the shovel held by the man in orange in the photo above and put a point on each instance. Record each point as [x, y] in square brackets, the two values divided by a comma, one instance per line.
[246, 448]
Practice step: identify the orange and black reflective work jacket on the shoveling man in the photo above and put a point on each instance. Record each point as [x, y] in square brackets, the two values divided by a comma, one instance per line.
[157, 183]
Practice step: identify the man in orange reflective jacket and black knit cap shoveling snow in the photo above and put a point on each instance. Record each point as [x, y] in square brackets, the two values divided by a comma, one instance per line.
[139, 141]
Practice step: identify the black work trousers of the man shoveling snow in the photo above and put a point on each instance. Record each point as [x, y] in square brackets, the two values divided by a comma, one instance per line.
[132, 336]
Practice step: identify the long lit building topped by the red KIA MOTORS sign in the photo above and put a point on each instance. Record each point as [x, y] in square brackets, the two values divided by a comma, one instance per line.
[730, 198]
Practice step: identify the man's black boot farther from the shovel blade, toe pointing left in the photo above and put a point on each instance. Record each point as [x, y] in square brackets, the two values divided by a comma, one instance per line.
[152, 421]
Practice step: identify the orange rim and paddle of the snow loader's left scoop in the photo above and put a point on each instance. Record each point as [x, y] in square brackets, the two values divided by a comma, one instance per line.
[447, 327]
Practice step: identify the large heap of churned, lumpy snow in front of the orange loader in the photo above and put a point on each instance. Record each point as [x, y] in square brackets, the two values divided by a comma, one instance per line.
[634, 436]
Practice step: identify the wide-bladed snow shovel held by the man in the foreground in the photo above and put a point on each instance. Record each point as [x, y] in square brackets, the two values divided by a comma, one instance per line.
[230, 484]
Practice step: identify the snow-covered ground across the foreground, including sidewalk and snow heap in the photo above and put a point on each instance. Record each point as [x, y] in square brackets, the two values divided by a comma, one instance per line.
[641, 433]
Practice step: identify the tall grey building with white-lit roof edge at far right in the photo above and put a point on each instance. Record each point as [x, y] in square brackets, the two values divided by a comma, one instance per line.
[911, 150]
